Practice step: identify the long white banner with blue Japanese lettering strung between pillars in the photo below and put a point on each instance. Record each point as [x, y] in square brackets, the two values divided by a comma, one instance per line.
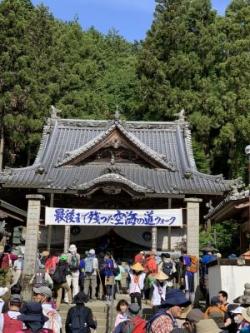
[119, 218]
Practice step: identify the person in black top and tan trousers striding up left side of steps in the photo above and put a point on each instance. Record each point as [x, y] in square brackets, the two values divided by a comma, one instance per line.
[59, 279]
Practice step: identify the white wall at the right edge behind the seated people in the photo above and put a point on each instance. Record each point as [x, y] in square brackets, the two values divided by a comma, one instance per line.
[228, 278]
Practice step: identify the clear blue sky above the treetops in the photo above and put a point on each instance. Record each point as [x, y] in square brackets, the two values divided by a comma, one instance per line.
[131, 18]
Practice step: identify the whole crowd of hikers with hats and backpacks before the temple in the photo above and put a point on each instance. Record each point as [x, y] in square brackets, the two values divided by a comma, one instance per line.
[165, 283]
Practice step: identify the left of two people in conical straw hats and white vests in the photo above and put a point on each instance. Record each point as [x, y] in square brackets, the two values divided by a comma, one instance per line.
[136, 285]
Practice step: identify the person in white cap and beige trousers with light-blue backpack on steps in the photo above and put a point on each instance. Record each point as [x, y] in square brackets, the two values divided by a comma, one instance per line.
[90, 274]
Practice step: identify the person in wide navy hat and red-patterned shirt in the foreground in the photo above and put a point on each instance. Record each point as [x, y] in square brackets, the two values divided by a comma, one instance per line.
[164, 321]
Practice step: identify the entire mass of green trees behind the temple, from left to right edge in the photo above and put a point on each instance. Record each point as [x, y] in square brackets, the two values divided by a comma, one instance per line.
[191, 58]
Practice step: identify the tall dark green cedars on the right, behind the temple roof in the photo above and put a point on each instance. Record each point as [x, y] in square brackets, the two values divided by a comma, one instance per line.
[195, 60]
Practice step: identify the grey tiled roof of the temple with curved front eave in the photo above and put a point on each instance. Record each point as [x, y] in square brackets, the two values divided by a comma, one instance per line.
[167, 143]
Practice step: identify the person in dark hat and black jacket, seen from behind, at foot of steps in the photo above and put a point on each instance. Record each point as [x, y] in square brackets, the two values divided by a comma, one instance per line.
[80, 316]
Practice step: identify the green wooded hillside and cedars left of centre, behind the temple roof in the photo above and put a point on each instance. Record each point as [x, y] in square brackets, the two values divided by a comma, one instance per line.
[44, 61]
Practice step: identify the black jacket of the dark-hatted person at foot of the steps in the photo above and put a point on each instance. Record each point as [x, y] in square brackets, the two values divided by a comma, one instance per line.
[80, 315]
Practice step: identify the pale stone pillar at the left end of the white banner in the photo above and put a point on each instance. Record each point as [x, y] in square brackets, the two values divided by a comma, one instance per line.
[31, 242]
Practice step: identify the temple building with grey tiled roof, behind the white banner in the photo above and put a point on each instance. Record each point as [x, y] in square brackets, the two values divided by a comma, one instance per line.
[115, 164]
